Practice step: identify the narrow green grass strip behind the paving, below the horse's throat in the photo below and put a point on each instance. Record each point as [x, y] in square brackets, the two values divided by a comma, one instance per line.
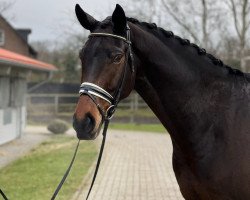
[158, 128]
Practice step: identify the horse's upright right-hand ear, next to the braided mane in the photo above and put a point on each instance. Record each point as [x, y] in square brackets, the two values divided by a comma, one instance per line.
[119, 20]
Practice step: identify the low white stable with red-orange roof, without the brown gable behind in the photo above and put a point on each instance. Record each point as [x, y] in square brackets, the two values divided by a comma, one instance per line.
[14, 72]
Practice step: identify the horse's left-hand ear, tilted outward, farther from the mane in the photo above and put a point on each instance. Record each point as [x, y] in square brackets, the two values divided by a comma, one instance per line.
[87, 21]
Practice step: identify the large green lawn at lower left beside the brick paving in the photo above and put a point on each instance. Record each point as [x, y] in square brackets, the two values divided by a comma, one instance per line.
[37, 175]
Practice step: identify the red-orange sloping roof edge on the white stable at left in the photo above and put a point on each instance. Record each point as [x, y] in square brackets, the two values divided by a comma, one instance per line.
[17, 60]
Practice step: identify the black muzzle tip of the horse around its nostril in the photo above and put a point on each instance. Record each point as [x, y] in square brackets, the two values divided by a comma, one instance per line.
[85, 126]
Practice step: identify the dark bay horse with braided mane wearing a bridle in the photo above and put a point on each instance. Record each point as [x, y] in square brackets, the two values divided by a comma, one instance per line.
[204, 104]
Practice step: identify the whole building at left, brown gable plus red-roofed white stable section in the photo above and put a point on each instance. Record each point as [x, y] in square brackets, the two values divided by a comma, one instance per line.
[17, 64]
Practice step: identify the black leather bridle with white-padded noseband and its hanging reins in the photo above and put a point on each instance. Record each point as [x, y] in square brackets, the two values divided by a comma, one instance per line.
[92, 90]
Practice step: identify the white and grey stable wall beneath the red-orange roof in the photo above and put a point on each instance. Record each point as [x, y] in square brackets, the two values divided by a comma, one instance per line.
[12, 108]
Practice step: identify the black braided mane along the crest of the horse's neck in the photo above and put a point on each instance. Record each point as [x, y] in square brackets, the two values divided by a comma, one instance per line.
[186, 42]
